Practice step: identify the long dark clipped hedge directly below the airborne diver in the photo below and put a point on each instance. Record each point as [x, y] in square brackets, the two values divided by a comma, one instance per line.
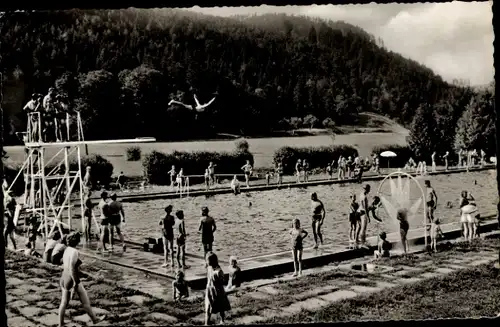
[157, 164]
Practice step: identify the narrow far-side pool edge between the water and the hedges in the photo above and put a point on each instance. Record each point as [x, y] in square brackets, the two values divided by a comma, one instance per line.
[199, 191]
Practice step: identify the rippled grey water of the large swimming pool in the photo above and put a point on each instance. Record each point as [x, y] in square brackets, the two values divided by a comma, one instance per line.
[258, 224]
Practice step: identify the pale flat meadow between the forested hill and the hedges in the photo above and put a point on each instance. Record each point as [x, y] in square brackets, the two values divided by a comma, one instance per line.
[364, 137]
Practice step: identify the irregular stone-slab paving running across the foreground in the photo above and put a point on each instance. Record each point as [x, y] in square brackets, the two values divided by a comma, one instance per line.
[33, 294]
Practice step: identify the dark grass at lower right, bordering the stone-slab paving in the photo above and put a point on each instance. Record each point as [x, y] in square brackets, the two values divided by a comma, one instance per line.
[463, 294]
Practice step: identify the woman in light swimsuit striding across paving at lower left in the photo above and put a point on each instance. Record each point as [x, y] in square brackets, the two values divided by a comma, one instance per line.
[70, 280]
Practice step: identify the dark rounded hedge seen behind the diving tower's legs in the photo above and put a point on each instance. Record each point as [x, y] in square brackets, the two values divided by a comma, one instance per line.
[101, 169]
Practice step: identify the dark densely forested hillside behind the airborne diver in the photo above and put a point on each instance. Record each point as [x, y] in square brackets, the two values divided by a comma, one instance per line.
[120, 68]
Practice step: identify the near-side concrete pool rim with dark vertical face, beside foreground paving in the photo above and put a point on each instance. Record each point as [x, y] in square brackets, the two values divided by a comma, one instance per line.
[265, 266]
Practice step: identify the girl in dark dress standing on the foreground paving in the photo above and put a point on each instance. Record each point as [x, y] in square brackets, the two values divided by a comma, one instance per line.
[216, 300]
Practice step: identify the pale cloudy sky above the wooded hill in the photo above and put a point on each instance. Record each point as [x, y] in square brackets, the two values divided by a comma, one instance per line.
[454, 39]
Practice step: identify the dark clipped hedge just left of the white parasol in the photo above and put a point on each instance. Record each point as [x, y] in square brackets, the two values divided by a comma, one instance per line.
[318, 157]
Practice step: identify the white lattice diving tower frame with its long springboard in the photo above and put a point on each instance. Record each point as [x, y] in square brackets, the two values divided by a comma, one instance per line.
[48, 190]
